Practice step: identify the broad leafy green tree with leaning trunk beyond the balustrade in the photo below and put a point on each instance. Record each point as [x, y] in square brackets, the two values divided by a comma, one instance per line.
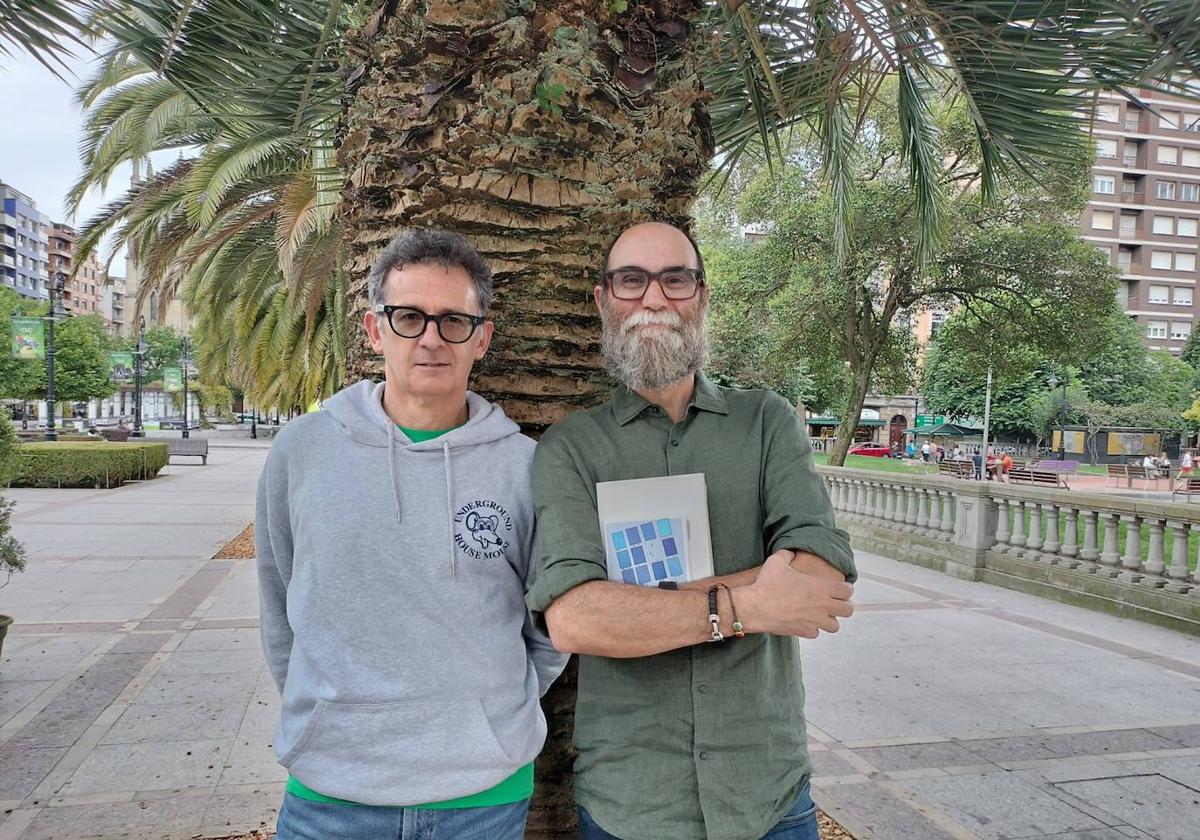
[1018, 263]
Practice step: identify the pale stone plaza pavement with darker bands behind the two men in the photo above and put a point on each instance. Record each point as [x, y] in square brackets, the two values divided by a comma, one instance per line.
[134, 701]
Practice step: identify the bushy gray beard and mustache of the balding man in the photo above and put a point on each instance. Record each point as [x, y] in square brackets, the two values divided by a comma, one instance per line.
[657, 359]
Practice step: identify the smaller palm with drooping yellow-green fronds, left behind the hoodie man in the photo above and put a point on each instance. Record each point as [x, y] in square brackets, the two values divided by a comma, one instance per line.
[238, 229]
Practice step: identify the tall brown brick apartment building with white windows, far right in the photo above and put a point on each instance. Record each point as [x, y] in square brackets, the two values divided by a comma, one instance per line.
[1144, 212]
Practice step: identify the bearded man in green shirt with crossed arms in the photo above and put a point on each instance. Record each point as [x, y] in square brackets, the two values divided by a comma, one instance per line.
[687, 728]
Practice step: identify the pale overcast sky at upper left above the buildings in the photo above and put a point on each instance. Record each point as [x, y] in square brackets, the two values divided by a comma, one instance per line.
[40, 128]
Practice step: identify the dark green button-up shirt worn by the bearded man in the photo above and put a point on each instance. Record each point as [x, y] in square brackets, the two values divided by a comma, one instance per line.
[706, 742]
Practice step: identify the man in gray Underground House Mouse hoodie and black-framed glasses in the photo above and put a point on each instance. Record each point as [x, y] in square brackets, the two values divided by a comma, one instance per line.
[394, 535]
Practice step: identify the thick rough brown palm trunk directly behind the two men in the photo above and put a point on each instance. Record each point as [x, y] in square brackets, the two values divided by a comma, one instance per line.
[541, 135]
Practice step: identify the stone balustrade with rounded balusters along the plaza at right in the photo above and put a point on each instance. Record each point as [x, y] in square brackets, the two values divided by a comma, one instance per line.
[1124, 555]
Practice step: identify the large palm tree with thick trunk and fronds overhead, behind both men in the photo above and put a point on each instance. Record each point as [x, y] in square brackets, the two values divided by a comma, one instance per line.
[541, 128]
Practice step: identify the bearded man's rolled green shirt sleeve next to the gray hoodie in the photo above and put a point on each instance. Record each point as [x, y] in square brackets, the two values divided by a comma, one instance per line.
[568, 550]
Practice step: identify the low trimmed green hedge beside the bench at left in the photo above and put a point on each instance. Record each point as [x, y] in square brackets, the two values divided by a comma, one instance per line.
[87, 465]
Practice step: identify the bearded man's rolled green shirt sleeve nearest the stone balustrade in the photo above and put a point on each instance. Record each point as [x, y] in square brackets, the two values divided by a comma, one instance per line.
[799, 514]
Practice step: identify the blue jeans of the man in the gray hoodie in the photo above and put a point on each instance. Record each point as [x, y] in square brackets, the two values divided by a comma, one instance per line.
[307, 820]
